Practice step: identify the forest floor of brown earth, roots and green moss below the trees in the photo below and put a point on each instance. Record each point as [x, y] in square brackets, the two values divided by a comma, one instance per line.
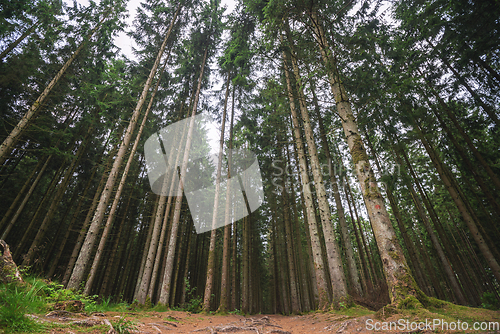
[352, 320]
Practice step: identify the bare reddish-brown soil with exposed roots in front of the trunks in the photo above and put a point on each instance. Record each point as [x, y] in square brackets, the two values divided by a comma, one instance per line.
[185, 322]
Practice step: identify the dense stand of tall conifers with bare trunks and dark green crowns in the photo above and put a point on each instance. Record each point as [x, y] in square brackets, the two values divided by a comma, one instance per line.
[375, 125]
